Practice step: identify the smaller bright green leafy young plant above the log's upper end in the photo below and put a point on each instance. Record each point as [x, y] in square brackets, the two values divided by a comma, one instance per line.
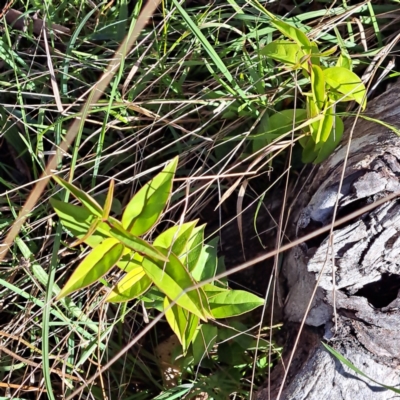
[329, 86]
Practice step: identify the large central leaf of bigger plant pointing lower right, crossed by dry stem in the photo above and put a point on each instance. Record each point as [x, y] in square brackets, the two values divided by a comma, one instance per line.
[172, 278]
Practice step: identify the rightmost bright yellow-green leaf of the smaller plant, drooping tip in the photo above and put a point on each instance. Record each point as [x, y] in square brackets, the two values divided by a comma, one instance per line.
[347, 83]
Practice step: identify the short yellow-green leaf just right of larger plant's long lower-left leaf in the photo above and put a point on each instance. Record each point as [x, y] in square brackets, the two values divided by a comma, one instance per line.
[132, 285]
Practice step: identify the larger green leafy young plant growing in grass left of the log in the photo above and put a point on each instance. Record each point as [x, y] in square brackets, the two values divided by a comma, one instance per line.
[159, 273]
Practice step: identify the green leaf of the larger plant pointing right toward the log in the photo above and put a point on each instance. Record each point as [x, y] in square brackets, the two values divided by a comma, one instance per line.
[233, 302]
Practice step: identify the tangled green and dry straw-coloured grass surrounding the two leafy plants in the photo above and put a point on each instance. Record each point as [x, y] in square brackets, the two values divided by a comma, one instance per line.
[194, 85]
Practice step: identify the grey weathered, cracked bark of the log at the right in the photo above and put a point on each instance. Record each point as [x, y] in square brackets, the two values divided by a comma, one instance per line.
[365, 257]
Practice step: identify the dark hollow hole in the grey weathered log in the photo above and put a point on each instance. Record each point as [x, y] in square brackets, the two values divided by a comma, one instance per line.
[381, 293]
